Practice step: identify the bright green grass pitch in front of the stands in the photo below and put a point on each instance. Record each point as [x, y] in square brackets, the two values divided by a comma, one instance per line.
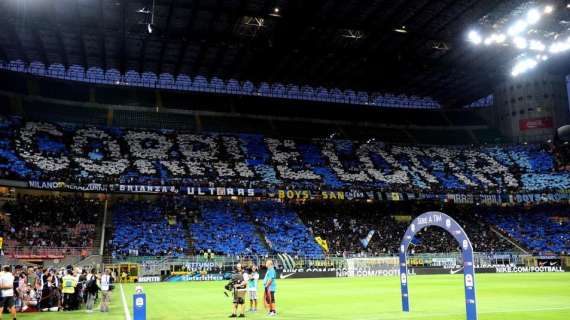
[500, 297]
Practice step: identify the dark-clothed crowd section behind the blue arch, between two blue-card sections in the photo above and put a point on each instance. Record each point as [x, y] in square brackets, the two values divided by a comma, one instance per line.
[346, 225]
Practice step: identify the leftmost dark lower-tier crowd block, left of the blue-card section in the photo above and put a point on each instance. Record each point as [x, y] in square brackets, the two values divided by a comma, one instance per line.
[50, 221]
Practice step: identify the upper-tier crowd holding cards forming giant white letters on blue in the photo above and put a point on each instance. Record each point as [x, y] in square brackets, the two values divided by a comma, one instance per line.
[68, 153]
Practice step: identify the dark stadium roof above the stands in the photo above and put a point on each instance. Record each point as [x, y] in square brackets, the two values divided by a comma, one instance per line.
[399, 46]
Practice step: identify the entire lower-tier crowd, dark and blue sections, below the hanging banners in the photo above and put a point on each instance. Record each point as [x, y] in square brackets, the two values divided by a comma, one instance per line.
[175, 226]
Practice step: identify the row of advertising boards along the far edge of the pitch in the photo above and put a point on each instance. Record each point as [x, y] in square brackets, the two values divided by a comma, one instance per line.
[199, 268]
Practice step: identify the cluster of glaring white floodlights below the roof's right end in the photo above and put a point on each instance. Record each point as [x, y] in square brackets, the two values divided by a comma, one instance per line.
[516, 35]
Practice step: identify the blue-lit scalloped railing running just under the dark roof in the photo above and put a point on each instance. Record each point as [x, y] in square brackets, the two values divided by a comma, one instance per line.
[215, 85]
